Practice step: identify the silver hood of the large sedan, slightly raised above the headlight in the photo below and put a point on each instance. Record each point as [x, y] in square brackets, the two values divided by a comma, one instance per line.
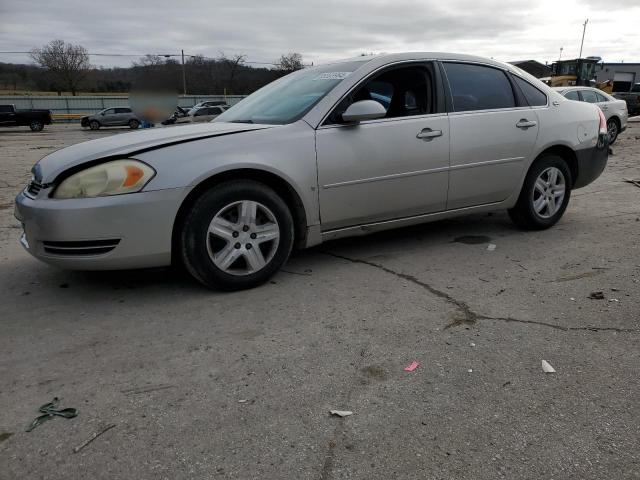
[48, 169]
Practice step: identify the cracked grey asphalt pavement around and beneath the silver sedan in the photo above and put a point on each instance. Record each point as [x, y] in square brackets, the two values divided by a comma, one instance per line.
[202, 384]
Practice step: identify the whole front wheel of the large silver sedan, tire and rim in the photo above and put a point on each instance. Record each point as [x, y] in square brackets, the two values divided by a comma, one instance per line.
[237, 235]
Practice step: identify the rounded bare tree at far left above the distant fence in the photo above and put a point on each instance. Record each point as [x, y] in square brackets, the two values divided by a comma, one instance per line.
[67, 63]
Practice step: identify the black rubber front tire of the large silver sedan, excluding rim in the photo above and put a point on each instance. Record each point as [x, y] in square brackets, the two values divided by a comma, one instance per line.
[194, 249]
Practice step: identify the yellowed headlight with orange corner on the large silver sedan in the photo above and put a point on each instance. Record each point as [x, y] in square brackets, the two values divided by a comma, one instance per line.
[110, 178]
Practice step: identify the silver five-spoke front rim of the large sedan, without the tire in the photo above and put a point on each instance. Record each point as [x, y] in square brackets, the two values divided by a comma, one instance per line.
[243, 237]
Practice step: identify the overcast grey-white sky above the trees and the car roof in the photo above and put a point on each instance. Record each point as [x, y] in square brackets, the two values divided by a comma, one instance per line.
[325, 30]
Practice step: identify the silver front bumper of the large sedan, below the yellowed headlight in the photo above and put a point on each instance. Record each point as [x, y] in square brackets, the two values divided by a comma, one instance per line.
[104, 233]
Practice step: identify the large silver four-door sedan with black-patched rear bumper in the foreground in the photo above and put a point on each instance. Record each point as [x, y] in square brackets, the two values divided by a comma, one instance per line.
[312, 157]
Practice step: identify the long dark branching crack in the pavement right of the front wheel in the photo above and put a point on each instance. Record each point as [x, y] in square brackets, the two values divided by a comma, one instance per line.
[467, 315]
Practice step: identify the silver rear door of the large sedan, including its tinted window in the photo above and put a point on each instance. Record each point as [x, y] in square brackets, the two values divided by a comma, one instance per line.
[492, 134]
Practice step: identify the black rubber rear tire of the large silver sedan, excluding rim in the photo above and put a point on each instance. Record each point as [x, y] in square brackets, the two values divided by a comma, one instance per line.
[523, 214]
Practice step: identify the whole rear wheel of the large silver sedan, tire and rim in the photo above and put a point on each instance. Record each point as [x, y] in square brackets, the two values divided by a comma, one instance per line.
[545, 194]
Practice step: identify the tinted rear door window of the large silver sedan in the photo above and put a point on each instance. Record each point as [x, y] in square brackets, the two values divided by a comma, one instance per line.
[476, 87]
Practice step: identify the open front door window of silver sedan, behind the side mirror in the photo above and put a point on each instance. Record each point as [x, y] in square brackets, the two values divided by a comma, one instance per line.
[403, 92]
